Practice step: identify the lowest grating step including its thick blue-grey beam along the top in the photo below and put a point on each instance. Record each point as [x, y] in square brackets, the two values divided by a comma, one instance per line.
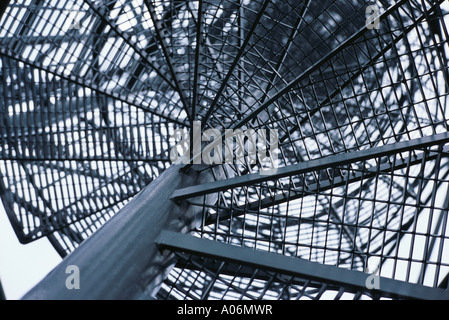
[208, 269]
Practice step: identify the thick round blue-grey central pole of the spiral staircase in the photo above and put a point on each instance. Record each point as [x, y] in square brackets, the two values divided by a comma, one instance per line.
[121, 260]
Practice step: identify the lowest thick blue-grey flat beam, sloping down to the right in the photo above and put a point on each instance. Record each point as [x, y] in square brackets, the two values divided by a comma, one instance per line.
[295, 267]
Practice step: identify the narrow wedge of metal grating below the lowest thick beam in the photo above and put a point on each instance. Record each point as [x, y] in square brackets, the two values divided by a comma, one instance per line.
[221, 280]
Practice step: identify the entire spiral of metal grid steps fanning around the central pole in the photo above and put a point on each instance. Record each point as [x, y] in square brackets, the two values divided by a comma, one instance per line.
[93, 93]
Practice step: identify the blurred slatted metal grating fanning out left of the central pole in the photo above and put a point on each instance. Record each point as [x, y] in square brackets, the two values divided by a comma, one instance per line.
[86, 116]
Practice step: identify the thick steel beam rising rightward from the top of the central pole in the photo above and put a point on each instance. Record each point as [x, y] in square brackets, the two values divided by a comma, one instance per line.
[312, 165]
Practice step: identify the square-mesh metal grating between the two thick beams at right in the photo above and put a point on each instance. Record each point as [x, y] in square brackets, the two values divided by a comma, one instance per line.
[387, 214]
